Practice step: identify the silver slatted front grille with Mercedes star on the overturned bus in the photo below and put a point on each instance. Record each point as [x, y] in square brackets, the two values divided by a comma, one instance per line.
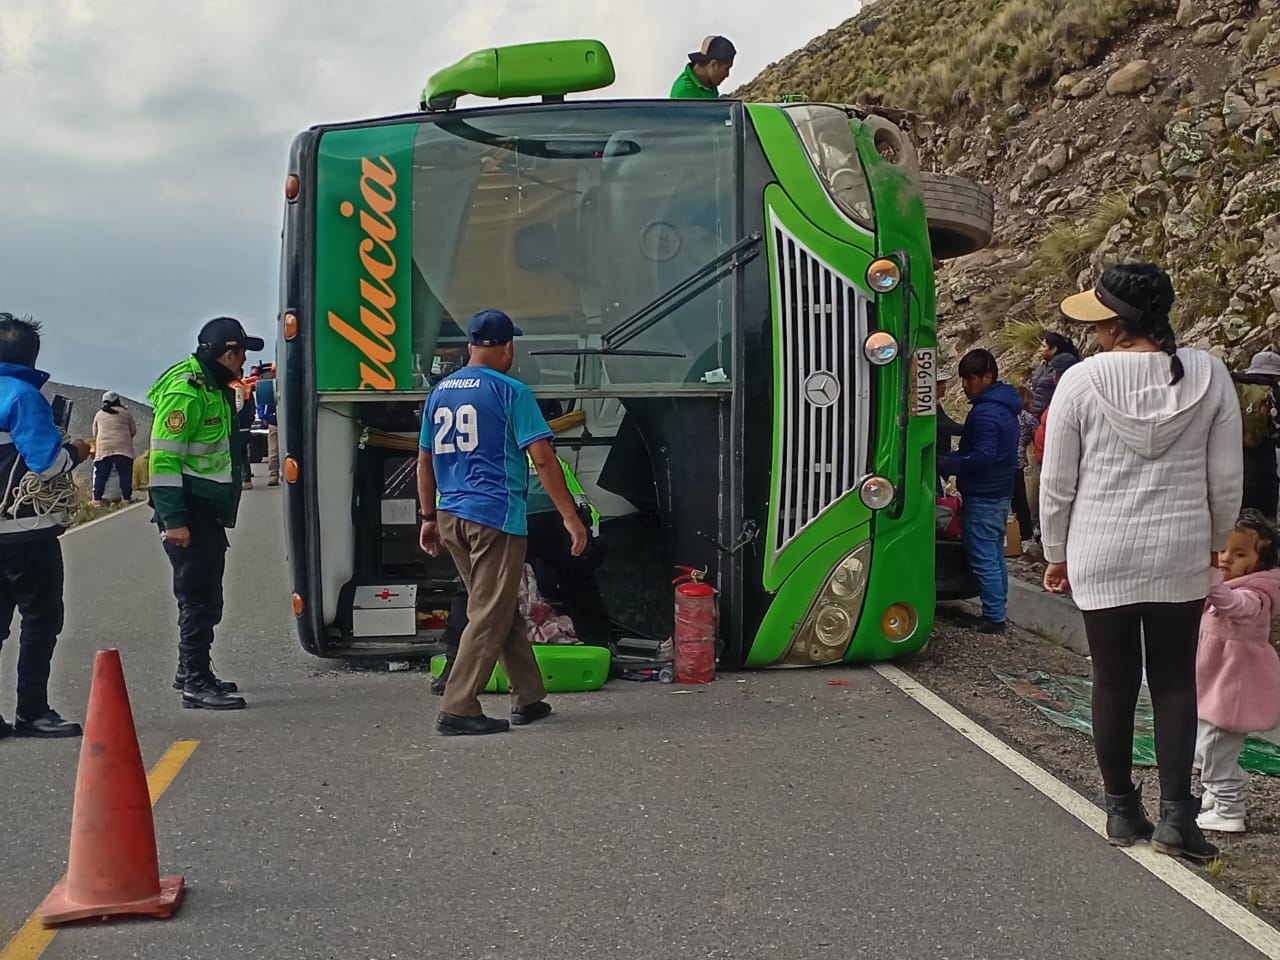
[821, 324]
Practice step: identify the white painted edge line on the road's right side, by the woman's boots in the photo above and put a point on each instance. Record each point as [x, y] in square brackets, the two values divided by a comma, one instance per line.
[1258, 934]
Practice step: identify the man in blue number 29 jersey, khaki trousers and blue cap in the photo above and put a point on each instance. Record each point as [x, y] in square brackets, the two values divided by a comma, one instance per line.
[478, 427]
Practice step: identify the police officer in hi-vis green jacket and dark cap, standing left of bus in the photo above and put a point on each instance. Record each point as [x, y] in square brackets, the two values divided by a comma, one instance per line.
[198, 467]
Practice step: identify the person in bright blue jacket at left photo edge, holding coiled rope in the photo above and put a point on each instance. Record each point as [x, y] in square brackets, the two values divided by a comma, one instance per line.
[31, 559]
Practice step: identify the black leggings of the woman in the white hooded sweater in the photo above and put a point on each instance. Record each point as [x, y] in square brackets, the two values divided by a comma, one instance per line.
[1116, 636]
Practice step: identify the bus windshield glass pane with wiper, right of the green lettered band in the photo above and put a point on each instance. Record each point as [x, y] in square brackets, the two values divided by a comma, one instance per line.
[572, 221]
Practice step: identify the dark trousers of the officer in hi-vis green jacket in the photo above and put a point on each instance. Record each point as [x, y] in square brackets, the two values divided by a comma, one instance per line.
[198, 586]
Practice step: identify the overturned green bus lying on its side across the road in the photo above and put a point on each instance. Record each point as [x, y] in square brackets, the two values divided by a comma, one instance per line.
[770, 413]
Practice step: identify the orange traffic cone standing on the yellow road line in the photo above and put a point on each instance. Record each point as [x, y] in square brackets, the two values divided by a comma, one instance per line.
[113, 868]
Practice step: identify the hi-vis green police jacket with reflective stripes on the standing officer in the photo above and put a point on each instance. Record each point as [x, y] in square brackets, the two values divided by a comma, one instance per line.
[193, 455]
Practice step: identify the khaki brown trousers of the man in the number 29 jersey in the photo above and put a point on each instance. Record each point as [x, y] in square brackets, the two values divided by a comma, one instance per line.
[492, 565]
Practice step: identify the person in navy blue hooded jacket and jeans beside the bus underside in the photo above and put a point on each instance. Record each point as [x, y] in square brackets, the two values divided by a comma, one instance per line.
[985, 468]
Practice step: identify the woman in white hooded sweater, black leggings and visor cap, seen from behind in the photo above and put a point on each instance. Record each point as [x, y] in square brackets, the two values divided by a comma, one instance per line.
[1140, 488]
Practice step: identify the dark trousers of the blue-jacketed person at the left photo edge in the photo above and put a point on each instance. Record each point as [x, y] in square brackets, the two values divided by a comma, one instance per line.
[31, 582]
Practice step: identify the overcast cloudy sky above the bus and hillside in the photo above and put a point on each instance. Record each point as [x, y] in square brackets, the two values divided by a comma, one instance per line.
[145, 141]
